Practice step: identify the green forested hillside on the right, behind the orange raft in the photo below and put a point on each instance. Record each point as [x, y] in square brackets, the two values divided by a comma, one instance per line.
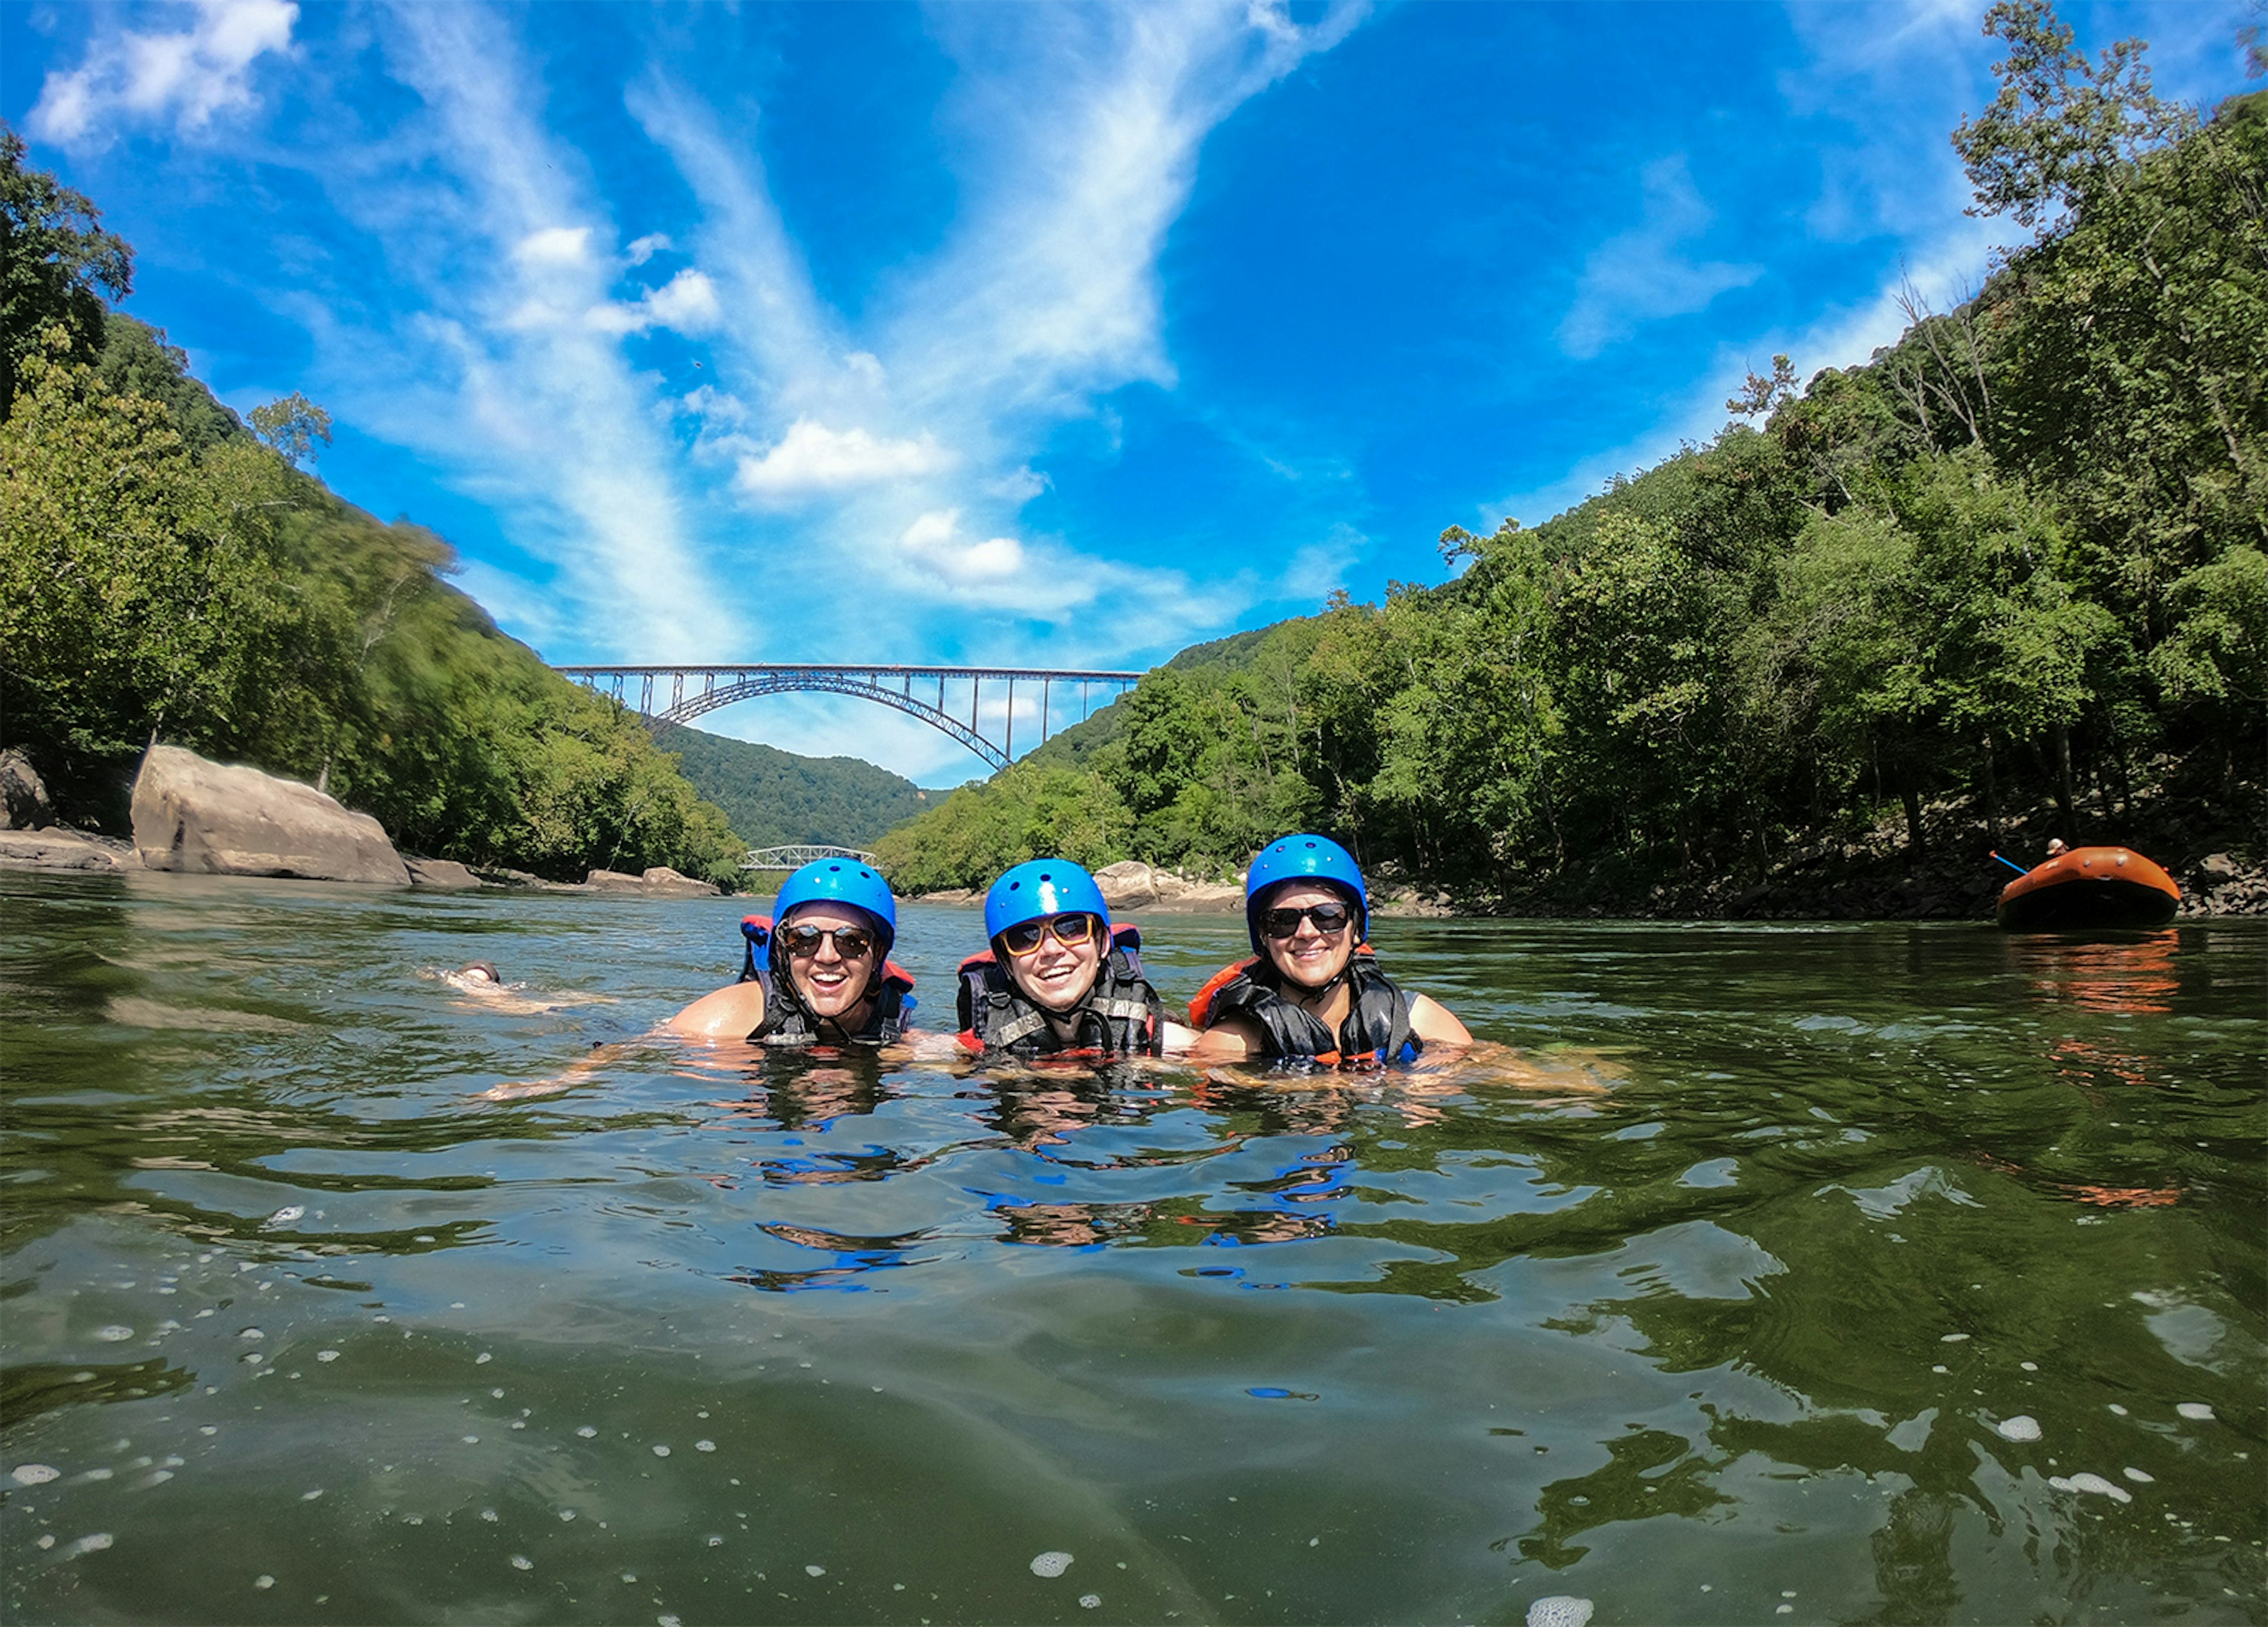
[2015, 562]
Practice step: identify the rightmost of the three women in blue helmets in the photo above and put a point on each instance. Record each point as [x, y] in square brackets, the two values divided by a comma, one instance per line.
[1314, 986]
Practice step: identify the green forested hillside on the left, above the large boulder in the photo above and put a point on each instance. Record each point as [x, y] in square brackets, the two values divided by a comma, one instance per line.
[169, 575]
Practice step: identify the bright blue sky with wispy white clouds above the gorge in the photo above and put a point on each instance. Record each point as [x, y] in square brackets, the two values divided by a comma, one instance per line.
[1010, 332]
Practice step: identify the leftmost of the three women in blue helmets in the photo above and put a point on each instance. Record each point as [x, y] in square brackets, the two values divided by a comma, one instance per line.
[824, 972]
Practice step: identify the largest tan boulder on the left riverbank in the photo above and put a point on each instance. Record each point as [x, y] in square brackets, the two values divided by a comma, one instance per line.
[221, 820]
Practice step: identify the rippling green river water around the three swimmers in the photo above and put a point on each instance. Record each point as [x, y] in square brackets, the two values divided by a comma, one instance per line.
[1899, 1274]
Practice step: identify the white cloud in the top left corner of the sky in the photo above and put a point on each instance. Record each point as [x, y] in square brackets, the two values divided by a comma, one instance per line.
[187, 76]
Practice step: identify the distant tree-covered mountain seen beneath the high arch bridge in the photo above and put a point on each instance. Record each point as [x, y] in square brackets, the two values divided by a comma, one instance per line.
[775, 798]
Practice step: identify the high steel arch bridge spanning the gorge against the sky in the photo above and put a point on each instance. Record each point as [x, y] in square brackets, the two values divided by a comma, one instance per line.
[702, 689]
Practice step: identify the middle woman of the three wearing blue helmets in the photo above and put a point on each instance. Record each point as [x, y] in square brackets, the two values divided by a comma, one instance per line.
[1058, 979]
